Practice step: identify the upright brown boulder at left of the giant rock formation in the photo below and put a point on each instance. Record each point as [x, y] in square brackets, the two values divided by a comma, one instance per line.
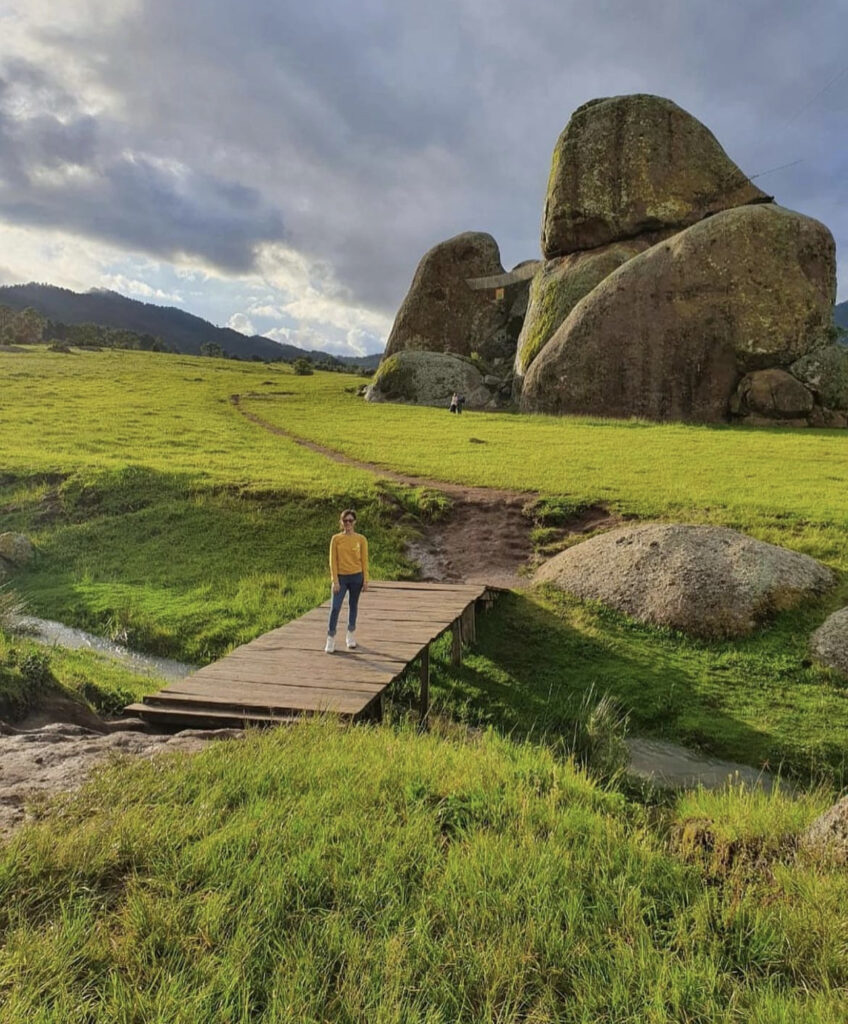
[442, 314]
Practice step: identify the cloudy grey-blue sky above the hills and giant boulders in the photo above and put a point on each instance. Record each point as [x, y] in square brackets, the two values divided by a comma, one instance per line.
[281, 167]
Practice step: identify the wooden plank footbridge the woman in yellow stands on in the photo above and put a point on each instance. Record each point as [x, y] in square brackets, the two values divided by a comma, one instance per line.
[286, 673]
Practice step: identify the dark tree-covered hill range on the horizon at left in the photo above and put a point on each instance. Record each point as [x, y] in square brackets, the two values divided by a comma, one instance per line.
[180, 330]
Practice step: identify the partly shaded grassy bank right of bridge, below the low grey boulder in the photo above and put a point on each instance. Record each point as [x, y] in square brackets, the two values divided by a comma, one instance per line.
[757, 701]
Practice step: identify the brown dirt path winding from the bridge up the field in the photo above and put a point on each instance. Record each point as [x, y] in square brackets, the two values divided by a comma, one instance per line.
[486, 538]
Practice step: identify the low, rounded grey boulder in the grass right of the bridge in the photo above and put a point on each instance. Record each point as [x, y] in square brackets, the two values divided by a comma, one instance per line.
[706, 581]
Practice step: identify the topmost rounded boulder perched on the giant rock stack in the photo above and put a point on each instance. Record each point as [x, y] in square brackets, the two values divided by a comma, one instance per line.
[627, 165]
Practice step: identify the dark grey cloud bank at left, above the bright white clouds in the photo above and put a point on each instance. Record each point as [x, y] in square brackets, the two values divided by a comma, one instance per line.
[68, 173]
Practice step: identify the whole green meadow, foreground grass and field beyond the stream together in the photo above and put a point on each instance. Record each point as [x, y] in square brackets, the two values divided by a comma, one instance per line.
[475, 874]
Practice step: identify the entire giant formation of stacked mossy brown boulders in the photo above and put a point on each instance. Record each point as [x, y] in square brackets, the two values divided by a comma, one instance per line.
[672, 288]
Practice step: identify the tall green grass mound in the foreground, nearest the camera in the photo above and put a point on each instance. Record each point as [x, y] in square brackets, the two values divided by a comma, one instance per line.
[321, 874]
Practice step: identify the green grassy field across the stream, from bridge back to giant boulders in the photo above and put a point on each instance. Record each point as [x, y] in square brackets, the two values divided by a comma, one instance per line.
[166, 520]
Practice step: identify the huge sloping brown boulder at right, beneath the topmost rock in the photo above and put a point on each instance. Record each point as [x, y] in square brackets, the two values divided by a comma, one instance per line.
[668, 334]
